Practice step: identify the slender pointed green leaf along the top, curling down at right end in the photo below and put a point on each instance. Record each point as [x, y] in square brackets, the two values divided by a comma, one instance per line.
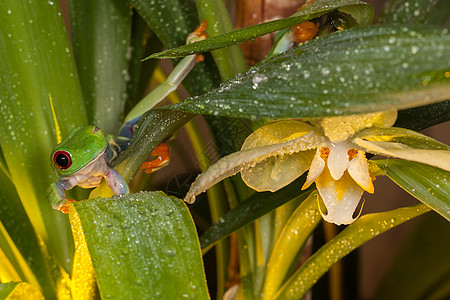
[316, 9]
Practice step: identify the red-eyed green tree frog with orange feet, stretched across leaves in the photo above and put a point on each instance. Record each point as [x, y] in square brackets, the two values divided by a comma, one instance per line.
[85, 155]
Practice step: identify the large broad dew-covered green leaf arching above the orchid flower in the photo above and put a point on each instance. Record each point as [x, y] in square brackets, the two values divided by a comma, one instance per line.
[359, 70]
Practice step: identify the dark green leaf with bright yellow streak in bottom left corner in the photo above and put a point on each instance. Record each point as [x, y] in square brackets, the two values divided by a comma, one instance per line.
[23, 243]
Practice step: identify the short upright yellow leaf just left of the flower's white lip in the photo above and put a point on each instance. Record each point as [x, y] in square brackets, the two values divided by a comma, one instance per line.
[289, 243]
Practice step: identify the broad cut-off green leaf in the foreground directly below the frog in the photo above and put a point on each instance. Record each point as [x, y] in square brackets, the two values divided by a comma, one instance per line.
[151, 239]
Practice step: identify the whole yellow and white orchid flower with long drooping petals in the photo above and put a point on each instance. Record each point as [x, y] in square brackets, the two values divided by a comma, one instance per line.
[334, 151]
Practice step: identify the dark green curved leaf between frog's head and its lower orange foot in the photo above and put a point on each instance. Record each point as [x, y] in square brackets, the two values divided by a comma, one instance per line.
[153, 128]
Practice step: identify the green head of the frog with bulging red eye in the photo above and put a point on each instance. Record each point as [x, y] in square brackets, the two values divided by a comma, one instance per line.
[80, 147]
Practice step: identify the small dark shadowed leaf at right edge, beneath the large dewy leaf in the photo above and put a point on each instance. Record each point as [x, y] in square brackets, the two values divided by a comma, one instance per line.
[419, 118]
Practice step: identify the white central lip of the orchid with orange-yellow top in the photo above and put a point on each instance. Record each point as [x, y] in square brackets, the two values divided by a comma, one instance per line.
[341, 197]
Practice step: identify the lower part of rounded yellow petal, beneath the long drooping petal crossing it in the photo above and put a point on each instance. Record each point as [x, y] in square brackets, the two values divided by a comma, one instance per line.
[276, 172]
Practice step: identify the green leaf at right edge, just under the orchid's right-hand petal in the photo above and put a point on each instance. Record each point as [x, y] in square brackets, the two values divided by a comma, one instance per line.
[428, 184]
